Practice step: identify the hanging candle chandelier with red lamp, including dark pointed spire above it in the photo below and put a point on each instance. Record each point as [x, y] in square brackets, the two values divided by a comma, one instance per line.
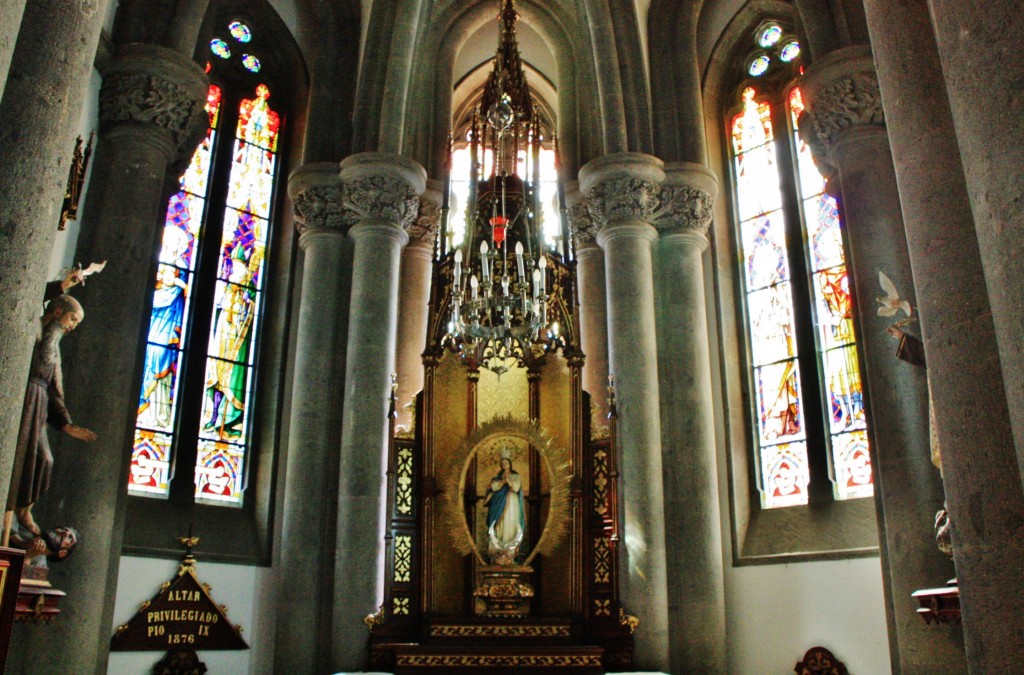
[499, 271]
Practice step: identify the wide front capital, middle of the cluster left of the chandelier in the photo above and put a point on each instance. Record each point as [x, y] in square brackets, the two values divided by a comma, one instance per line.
[381, 187]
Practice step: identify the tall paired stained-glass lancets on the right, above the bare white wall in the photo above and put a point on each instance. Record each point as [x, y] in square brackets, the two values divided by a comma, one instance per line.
[804, 375]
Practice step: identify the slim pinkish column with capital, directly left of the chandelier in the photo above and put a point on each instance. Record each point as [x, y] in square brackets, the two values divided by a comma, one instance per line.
[414, 300]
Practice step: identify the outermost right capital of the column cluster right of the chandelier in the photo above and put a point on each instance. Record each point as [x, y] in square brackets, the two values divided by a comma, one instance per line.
[686, 199]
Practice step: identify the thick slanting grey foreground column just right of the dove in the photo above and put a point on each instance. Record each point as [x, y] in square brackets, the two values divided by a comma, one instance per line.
[957, 322]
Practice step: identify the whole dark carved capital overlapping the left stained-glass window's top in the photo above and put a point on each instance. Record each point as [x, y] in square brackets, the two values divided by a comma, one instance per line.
[147, 85]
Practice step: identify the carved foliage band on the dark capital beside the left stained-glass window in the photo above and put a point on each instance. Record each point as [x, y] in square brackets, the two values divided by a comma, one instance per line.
[148, 99]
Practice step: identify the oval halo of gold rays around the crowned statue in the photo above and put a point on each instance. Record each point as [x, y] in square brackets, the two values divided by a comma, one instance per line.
[488, 440]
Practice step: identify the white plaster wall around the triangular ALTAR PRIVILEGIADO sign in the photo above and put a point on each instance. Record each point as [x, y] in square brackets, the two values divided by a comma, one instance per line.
[247, 592]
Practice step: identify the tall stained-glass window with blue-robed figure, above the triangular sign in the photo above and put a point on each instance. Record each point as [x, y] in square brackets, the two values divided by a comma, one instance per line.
[196, 402]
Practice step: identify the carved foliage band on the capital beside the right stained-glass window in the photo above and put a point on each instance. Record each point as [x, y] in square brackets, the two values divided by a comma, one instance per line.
[846, 103]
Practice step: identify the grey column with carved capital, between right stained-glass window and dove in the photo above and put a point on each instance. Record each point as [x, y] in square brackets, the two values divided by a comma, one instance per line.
[842, 96]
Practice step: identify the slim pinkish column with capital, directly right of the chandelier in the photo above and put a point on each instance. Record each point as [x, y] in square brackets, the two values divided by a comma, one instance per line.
[593, 313]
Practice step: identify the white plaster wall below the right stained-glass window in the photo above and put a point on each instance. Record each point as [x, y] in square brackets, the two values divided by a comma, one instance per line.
[776, 613]
